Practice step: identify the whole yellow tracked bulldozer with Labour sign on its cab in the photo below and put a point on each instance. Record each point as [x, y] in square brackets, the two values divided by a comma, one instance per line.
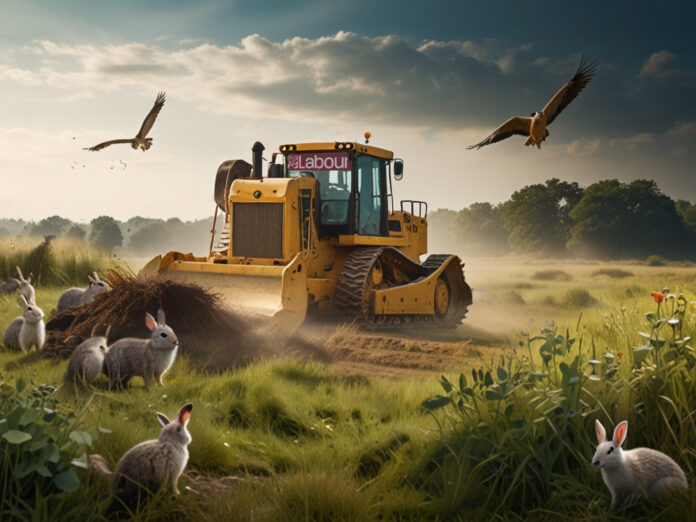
[319, 234]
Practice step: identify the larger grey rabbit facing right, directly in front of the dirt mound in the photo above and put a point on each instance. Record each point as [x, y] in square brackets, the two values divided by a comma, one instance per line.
[148, 358]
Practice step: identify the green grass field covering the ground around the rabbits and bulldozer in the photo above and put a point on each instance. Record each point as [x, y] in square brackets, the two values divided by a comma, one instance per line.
[285, 439]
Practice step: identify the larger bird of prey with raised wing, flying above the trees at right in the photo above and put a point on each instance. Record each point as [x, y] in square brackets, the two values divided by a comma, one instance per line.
[535, 126]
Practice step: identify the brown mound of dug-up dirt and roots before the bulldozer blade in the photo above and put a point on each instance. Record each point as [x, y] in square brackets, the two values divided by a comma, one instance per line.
[214, 337]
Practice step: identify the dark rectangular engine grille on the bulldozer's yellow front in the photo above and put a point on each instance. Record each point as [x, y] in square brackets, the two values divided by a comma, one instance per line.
[257, 230]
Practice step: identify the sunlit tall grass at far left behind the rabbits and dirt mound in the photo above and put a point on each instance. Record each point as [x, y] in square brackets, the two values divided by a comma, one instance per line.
[56, 263]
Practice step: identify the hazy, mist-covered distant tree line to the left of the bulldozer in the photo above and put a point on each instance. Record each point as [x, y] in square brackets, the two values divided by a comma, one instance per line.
[138, 235]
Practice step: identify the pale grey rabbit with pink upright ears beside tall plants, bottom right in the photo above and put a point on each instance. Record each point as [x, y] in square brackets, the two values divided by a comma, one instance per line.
[637, 473]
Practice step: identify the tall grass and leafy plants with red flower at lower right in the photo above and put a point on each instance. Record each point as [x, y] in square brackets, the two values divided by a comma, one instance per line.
[518, 434]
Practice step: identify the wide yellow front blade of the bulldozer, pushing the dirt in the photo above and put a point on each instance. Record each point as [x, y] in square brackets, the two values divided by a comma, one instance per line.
[277, 292]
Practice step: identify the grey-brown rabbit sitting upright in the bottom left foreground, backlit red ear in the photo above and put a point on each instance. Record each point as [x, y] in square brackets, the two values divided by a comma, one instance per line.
[152, 464]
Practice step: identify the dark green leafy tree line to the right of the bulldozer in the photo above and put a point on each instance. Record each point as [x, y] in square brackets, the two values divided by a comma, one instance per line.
[608, 219]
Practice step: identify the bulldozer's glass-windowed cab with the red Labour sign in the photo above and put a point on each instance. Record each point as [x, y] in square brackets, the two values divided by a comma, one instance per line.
[353, 189]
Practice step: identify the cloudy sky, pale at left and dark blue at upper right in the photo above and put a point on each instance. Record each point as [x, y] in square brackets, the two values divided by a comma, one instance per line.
[426, 78]
